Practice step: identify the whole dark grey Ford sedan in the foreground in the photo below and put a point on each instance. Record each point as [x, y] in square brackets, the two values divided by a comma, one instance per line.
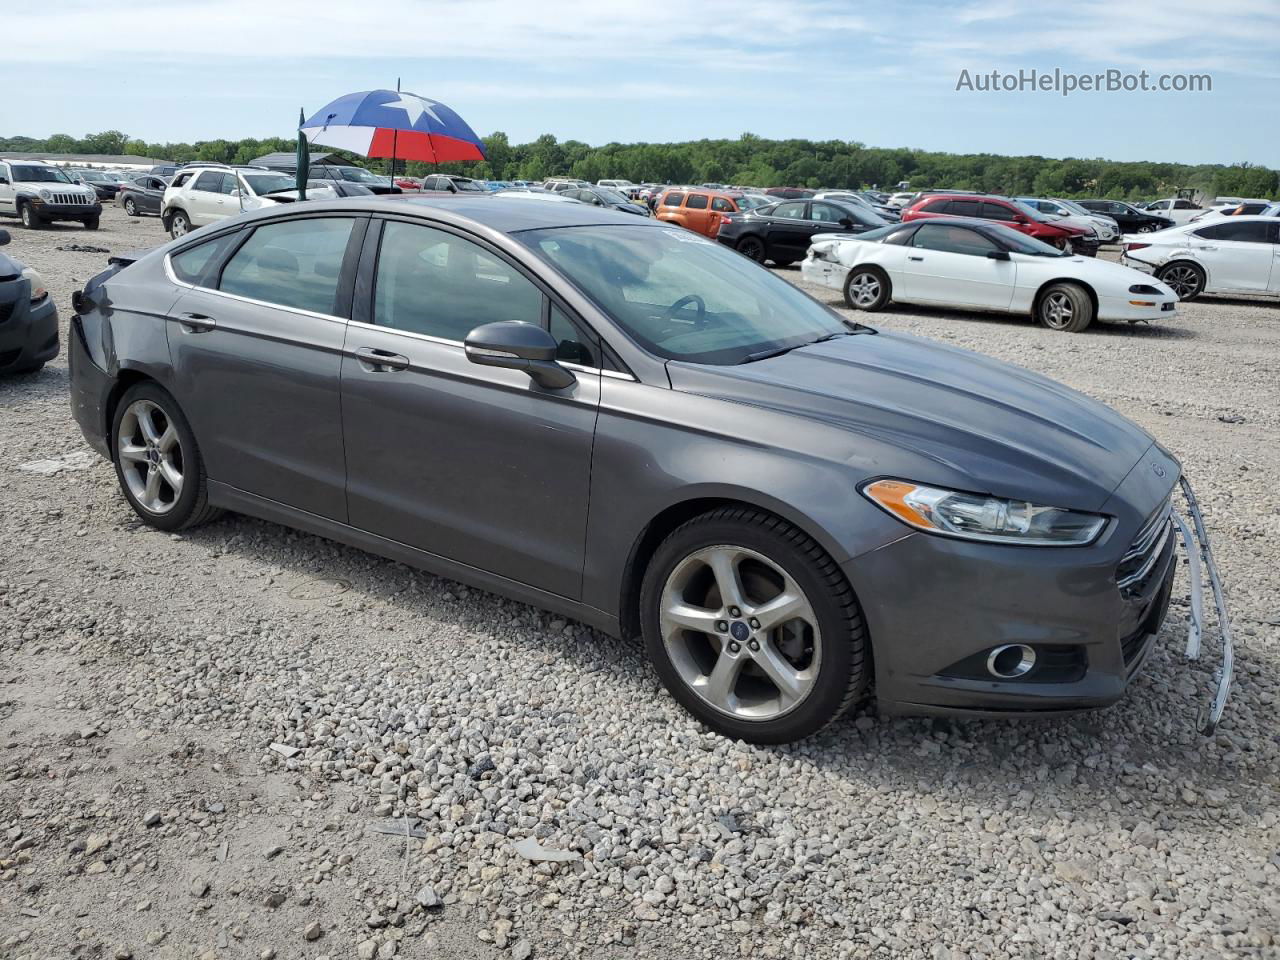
[625, 423]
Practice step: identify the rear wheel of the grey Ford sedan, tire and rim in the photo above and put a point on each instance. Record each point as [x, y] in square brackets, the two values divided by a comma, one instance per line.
[158, 463]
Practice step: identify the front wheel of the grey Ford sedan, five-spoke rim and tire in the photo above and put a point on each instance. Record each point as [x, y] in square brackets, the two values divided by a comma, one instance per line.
[753, 628]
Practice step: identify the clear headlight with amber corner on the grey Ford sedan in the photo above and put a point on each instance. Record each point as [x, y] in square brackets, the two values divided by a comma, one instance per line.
[976, 518]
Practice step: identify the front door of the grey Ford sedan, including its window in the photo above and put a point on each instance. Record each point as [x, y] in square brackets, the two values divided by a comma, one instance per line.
[470, 463]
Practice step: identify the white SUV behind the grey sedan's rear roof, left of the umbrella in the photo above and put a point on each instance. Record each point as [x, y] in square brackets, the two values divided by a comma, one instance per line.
[205, 194]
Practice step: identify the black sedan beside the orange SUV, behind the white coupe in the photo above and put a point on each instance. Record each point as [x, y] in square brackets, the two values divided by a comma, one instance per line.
[781, 232]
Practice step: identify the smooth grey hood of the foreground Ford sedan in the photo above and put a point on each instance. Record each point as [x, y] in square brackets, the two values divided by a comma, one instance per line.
[935, 414]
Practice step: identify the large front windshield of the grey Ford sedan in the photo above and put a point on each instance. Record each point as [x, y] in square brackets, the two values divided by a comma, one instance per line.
[682, 296]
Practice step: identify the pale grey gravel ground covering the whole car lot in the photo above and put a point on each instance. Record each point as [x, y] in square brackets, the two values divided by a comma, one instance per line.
[145, 679]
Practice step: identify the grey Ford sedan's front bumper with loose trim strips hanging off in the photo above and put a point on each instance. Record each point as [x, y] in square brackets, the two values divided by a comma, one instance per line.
[936, 607]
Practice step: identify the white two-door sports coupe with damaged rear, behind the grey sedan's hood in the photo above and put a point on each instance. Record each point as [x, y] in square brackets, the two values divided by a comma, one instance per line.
[982, 266]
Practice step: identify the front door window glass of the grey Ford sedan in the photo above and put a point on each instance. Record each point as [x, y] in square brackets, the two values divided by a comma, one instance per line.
[438, 285]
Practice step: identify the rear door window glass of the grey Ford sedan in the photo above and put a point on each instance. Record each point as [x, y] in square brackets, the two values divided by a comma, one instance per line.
[292, 264]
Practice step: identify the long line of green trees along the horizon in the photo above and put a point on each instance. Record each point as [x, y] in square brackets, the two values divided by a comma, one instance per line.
[751, 161]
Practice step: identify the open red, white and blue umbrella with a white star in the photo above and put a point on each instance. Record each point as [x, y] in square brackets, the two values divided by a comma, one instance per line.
[388, 124]
